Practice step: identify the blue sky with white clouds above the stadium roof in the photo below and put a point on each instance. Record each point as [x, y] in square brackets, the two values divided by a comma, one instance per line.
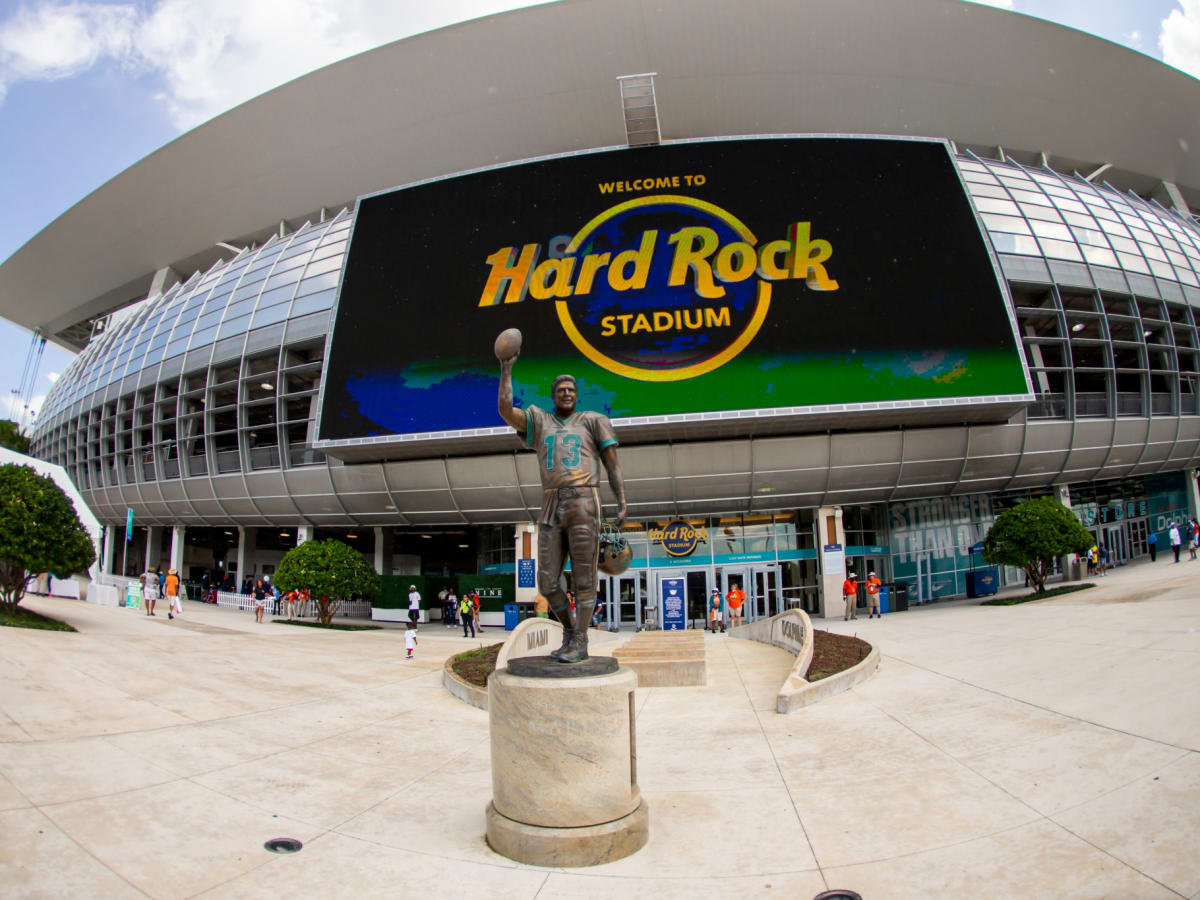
[87, 89]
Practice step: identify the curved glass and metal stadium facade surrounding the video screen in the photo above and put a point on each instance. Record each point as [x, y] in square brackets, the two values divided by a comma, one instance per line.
[197, 411]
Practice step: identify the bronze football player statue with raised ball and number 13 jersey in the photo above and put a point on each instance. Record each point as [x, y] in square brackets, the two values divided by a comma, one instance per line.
[572, 447]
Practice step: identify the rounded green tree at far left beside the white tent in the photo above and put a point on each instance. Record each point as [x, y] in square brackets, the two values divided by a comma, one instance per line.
[40, 532]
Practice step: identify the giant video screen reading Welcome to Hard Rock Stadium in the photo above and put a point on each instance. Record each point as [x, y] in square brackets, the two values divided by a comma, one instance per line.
[680, 280]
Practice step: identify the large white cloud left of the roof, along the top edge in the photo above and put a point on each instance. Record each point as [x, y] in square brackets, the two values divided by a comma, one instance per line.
[214, 55]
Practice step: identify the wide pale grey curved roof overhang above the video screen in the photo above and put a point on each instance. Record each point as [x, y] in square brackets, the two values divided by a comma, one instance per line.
[519, 86]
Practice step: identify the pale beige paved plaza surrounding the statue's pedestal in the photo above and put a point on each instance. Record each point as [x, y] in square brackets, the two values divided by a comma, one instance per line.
[1041, 751]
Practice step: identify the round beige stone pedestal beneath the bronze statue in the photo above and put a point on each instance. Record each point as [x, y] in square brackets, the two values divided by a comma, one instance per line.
[565, 770]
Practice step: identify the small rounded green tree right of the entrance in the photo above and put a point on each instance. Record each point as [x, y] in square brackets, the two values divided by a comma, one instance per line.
[1033, 535]
